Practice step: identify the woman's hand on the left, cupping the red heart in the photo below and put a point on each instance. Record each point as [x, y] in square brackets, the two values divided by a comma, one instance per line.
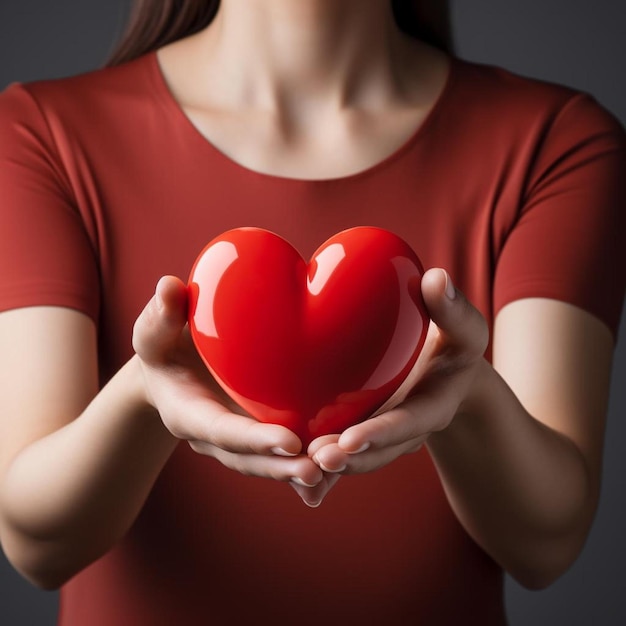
[194, 408]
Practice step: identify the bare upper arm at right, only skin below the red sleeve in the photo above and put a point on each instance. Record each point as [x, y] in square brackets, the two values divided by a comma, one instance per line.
[557, 359]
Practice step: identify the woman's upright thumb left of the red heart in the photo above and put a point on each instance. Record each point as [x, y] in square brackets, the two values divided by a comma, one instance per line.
[159, 326]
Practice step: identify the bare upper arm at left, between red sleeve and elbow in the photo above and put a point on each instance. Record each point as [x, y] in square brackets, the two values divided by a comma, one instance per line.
[48, 373]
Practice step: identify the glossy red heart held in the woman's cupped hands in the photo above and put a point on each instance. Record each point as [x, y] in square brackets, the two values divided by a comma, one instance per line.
[316, 347]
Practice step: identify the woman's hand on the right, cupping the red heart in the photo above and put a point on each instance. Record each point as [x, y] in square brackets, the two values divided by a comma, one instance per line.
[436, 390]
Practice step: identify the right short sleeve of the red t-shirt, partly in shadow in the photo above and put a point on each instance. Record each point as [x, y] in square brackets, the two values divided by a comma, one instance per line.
[568, 242]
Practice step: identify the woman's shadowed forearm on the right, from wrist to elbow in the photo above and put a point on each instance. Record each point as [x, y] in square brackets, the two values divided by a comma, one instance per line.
[521, 489]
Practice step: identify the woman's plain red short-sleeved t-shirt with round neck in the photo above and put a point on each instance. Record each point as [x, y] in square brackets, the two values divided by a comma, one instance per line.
[515, 186]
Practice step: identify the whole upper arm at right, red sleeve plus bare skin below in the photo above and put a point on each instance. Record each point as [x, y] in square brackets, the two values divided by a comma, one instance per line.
[560, 276]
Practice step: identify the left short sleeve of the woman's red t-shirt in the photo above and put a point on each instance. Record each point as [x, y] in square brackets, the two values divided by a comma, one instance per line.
[46, 256]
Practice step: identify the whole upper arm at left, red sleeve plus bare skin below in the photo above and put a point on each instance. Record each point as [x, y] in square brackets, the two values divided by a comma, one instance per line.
[48, 357]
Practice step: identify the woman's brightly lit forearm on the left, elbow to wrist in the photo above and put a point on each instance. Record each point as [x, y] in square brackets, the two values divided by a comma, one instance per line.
[68, 497]
